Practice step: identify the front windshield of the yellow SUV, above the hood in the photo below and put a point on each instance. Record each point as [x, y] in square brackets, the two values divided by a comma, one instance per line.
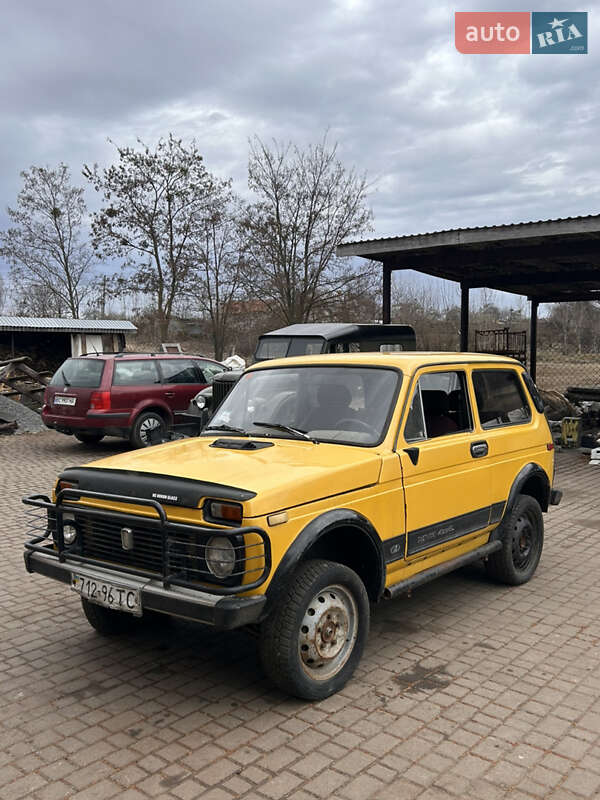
[350, 405]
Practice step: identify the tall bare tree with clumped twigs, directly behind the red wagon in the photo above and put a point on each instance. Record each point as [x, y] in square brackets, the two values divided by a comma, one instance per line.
[155, 203]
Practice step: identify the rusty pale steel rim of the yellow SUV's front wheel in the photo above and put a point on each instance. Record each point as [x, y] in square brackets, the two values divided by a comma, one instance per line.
[328, 632]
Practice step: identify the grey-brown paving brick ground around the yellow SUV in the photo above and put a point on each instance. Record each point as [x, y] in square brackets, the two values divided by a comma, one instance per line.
[466, 690]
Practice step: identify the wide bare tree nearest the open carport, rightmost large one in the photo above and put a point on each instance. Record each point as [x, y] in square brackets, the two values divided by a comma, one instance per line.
[307, 203]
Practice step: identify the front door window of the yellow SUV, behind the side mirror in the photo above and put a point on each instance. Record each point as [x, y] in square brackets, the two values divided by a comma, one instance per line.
[439, 406]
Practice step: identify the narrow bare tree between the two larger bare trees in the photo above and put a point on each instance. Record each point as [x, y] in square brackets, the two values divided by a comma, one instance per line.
[218, 268]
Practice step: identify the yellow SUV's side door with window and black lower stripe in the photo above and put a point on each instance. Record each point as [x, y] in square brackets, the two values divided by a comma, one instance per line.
[445, 466]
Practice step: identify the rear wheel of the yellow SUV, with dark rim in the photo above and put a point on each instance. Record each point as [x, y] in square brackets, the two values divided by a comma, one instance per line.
[522, 543]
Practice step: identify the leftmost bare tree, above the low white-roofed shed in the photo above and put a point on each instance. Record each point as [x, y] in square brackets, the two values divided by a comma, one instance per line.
[45, 247]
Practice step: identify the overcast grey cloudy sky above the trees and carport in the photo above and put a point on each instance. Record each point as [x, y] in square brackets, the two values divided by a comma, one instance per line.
[448, 140]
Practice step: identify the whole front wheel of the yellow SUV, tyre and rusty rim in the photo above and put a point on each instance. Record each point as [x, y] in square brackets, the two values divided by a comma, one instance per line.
[313, 641]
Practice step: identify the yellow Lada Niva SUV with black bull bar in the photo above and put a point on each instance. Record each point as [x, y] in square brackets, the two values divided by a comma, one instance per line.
[322, 484]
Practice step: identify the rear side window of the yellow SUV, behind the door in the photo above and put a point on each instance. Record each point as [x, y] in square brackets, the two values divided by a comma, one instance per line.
[500, 398]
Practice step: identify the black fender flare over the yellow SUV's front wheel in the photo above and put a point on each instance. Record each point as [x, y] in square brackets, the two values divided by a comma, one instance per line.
[315, 530]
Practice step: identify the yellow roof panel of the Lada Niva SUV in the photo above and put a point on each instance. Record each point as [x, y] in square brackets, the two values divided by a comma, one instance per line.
[407, 361]
